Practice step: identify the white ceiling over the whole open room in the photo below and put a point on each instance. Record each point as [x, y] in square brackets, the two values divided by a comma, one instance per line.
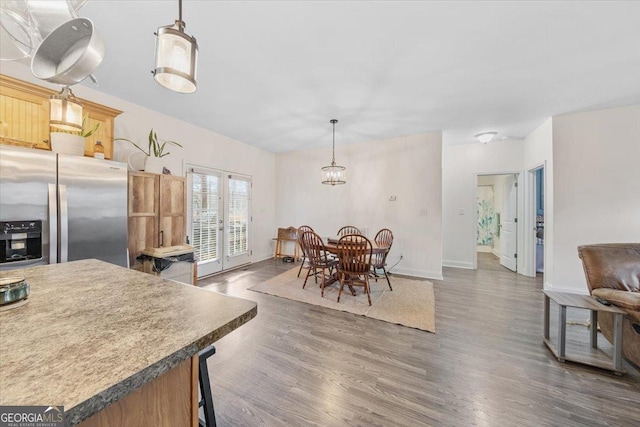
[272, 74]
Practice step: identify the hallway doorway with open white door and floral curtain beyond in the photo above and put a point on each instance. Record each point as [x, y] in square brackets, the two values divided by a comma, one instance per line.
[496, 226]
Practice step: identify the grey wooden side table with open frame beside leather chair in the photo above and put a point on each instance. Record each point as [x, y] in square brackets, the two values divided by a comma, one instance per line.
[587, 302]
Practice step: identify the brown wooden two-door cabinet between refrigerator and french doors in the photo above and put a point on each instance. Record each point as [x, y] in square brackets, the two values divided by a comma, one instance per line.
[157, 213]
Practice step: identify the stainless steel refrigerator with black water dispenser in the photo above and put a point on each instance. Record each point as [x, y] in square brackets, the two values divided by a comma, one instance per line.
[56, 208]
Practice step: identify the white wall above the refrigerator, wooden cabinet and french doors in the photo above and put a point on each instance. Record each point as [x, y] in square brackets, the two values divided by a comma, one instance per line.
[201, 147]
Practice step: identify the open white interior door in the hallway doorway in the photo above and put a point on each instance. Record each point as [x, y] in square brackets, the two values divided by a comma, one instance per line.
[508, 231]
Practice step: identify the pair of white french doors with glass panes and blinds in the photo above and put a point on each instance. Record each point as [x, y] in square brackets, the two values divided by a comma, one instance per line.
[219, 219]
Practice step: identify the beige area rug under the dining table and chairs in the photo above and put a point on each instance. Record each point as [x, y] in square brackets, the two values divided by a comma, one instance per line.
[411, 303]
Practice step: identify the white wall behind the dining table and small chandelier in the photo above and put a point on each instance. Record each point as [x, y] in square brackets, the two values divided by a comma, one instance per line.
[408, 168]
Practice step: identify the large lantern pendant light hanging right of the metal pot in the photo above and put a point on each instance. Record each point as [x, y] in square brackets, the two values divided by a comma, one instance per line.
[176, 57]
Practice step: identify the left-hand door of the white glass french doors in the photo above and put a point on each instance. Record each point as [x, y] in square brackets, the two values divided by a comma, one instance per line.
[206, 220]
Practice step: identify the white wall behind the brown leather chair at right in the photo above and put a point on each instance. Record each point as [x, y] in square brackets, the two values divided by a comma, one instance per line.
[596, 172]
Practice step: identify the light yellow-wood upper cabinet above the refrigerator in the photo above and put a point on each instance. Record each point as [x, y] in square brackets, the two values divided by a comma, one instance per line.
[24, 117]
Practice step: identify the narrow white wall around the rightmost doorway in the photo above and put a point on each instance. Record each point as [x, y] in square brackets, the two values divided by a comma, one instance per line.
[538, 151]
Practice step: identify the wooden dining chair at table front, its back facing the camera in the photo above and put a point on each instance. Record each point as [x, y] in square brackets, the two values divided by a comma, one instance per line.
[354, 262]
